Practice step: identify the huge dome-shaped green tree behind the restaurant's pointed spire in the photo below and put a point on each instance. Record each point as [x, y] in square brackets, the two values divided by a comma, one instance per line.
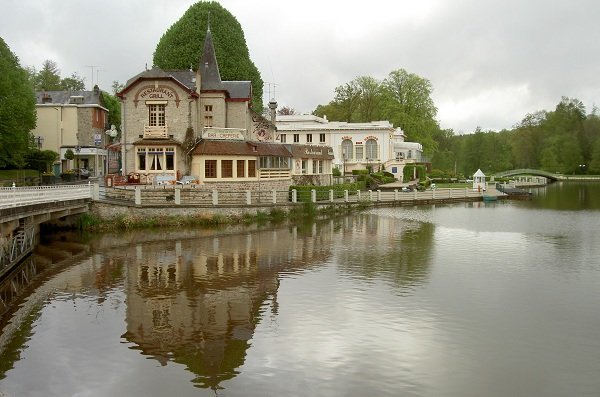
[182, 44]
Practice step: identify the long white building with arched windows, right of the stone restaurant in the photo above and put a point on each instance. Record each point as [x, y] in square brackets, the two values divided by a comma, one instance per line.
[356, 146]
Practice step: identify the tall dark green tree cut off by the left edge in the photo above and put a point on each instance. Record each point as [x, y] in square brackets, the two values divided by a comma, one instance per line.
[17, 109]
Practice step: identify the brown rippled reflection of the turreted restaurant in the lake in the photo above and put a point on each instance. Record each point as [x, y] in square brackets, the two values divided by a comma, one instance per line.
[197, 302]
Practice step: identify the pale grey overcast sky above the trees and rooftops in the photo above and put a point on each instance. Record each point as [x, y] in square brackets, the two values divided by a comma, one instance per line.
[490, 61]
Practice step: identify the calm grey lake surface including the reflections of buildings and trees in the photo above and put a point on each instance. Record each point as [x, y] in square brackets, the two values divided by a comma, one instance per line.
[474, 299]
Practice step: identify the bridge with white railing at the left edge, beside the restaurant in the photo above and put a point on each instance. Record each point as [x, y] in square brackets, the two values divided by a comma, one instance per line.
[23, 209]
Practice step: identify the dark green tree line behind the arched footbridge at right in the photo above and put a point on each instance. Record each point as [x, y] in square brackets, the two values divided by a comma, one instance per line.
[564, 140]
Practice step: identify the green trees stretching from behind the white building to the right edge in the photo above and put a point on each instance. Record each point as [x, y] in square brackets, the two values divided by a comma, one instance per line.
[564, 140]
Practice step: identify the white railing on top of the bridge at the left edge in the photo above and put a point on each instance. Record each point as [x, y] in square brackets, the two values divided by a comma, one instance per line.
[21, 196]
